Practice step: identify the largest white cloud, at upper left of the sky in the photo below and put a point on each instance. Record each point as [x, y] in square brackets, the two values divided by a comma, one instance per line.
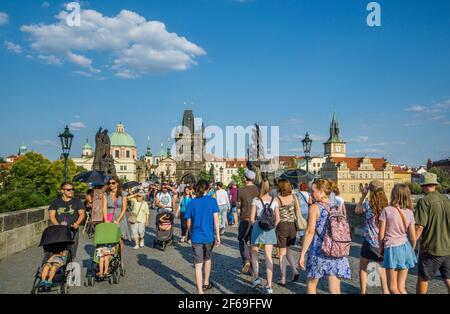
[136, 46]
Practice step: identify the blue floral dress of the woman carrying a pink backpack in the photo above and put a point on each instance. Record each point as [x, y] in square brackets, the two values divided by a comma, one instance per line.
[319, 265]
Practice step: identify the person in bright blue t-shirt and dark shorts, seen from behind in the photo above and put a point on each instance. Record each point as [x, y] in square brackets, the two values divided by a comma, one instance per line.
[202, 216]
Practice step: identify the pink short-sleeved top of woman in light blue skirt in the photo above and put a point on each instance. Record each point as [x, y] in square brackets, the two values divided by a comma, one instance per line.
[395, 231]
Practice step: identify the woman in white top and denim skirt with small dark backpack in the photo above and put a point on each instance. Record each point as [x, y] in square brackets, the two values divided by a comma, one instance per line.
[264, 218]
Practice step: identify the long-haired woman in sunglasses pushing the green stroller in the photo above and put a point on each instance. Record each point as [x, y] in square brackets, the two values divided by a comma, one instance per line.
[114, 209]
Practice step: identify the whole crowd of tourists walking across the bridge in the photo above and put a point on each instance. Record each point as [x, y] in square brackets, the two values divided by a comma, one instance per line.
[275, 218]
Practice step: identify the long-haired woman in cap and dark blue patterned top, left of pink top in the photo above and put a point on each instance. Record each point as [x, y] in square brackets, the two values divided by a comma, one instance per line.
[370, 250]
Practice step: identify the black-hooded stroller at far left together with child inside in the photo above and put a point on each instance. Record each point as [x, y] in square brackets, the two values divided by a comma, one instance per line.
[56, 241]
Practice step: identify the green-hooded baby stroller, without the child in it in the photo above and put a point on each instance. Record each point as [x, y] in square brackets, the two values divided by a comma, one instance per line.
[107, 236]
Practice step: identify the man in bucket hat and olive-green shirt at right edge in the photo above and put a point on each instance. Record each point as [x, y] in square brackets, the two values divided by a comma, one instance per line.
[432, 217]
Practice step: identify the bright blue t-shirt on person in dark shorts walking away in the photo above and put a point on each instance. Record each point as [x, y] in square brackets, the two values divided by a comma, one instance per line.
[201, 213]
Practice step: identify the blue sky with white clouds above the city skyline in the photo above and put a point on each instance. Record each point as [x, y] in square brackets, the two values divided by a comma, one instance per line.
[289, 63]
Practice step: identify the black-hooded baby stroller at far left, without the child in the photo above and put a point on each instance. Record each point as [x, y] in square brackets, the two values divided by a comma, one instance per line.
[54, 240]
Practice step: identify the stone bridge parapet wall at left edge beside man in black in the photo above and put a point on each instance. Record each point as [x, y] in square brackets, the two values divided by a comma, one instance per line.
[21, 229]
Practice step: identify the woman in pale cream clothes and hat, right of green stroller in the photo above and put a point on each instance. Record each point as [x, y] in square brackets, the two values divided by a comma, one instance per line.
[138, 218]
